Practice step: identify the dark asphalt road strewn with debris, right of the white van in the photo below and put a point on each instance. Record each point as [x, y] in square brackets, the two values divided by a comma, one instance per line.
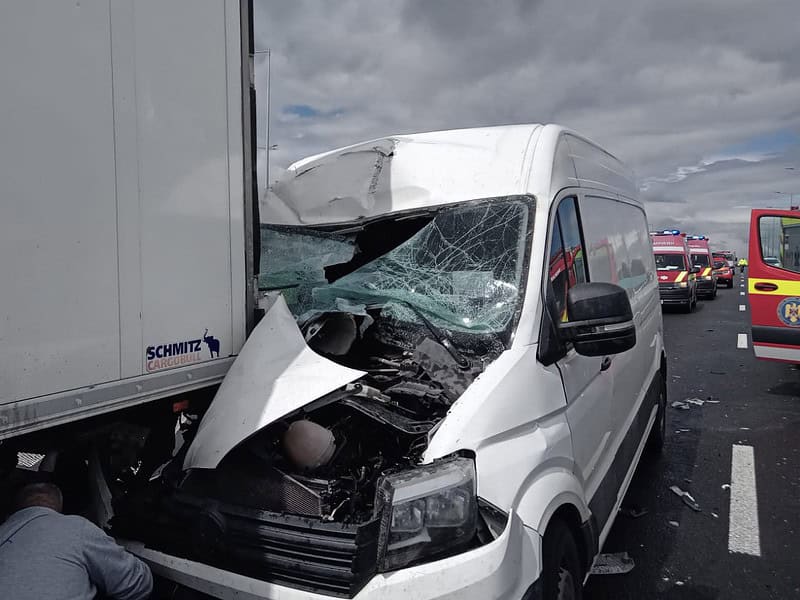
[707, 554]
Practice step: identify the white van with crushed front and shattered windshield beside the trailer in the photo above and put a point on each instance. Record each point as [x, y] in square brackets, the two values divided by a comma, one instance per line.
[460, 364]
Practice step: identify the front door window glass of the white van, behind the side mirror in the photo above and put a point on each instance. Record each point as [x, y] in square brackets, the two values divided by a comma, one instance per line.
[566, 266]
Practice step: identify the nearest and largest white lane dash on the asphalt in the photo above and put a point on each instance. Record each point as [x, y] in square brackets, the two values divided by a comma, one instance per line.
[743, 536]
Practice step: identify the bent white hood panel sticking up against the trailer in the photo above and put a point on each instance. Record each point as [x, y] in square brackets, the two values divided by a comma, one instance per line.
[275, 374]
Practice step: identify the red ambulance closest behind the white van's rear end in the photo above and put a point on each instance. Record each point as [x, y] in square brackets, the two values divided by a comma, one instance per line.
[677, 277]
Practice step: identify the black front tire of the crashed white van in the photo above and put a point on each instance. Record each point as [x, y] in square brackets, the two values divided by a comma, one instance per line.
[562, 574]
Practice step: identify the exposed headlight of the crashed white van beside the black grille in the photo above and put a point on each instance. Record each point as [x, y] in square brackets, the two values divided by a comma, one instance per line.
[427, 512]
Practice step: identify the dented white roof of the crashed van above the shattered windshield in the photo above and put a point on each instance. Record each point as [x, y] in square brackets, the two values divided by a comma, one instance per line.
[412, 171]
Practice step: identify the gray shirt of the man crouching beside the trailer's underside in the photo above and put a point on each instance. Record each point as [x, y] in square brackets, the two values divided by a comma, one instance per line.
[44, 554]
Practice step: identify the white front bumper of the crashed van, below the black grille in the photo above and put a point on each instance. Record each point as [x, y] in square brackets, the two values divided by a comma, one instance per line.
[506, 568]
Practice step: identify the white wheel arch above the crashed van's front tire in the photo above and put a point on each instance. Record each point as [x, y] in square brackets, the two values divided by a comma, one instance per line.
[550, 491]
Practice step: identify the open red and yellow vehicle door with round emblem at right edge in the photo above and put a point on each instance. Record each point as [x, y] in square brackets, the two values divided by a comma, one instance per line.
[774, 284]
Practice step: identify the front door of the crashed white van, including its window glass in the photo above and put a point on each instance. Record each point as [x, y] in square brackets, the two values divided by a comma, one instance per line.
[587, 382]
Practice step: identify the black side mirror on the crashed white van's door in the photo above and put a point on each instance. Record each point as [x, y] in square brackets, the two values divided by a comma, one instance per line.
[600, 319]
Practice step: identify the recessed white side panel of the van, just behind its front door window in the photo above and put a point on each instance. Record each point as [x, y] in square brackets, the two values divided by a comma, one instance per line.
[618, 248]
